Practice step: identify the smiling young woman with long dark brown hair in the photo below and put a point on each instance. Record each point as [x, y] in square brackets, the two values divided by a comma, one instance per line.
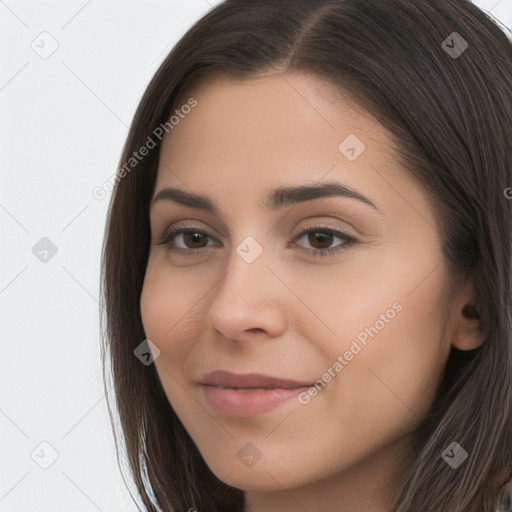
[306, 269]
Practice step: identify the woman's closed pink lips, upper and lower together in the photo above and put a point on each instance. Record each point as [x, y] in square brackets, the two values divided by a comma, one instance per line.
[248, 395]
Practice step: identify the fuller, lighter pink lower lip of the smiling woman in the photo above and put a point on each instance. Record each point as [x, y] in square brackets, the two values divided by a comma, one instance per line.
[248, 403]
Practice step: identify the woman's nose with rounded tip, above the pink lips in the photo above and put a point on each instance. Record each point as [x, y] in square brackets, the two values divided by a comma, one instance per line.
[249, 299]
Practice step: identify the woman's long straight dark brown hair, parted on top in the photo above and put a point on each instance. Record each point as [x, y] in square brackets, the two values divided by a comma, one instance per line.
[447, 100]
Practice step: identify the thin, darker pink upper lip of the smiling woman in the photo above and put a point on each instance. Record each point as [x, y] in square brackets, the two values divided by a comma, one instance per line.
[226, 379]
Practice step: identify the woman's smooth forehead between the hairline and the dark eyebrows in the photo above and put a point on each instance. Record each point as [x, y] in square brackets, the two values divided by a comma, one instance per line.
[245, 139]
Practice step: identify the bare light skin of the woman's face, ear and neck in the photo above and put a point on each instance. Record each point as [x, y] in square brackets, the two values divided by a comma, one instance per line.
[290, 314]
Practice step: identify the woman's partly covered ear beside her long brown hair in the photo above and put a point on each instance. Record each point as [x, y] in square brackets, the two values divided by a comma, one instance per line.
[469, 322]
